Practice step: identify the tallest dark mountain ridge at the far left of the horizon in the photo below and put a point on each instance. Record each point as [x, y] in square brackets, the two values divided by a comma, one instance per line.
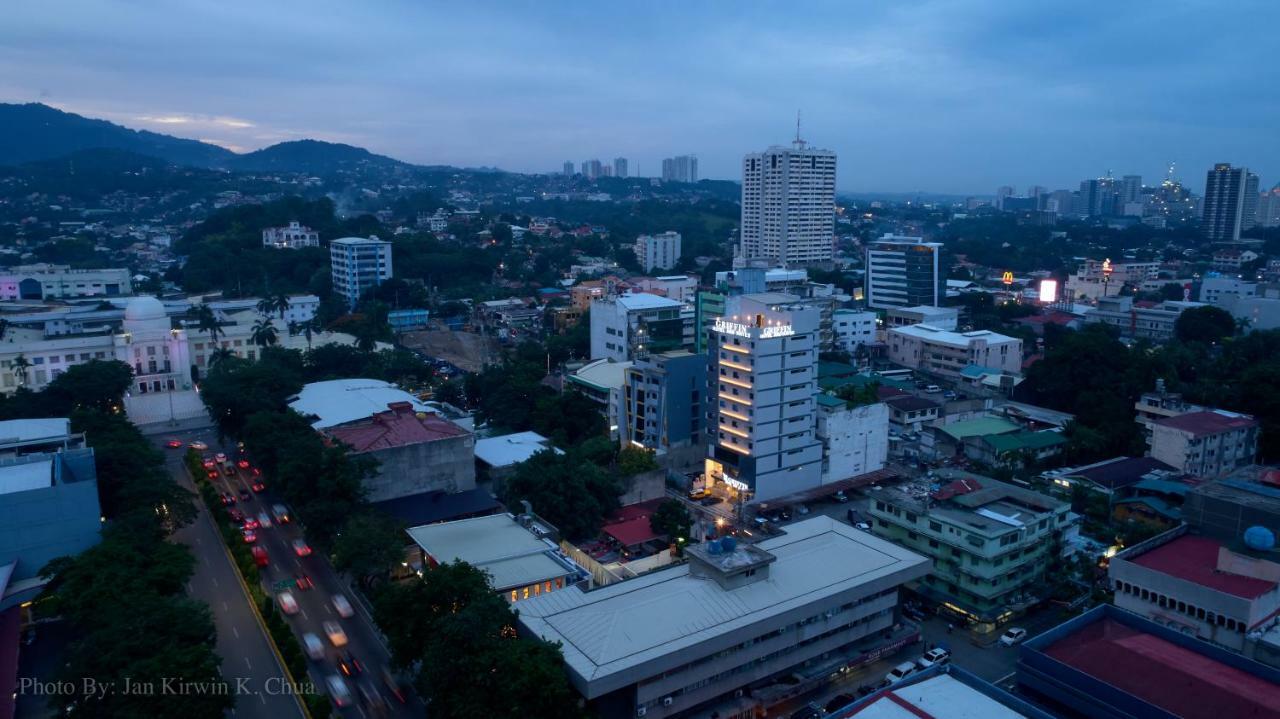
[39, 132]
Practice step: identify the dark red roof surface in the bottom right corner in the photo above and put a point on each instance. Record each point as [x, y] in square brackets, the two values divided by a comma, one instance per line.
[1178, 680]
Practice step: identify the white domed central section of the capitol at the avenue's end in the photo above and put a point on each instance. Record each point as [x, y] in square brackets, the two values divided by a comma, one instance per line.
[157, 351]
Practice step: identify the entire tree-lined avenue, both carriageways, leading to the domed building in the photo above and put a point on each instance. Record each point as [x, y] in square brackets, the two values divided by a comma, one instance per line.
[369, 695]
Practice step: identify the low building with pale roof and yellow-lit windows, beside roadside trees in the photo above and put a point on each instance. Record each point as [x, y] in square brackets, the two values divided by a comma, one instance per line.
[522, 555]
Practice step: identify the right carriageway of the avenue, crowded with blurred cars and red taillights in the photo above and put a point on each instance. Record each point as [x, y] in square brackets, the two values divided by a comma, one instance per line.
[371, 695]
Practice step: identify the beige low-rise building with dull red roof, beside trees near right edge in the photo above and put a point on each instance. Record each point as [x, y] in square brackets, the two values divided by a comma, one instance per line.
[1206, 445]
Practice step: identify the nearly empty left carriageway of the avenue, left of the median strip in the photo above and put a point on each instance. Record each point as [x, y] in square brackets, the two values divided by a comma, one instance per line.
[249, 663]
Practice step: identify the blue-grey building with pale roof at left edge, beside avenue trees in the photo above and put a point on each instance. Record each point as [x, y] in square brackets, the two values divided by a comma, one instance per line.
[48, 502]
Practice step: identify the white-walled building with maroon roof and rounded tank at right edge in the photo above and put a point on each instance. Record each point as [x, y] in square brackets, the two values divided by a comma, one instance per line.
[1197, 587]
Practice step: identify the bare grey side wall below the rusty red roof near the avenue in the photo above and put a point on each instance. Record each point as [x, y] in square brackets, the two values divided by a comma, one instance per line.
[442, 465]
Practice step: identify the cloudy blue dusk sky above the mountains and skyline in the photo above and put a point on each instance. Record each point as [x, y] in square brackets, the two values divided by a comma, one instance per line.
[950, 97]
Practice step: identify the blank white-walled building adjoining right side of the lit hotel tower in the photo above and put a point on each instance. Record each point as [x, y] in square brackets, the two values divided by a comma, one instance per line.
[854, 439]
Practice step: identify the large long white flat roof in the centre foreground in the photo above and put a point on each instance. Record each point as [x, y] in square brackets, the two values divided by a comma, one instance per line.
[610, 631]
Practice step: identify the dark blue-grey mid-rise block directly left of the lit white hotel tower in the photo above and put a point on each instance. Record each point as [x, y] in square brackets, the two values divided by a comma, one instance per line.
[665, 402]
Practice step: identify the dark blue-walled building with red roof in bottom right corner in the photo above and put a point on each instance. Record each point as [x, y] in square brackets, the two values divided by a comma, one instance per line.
[1114, 665]
